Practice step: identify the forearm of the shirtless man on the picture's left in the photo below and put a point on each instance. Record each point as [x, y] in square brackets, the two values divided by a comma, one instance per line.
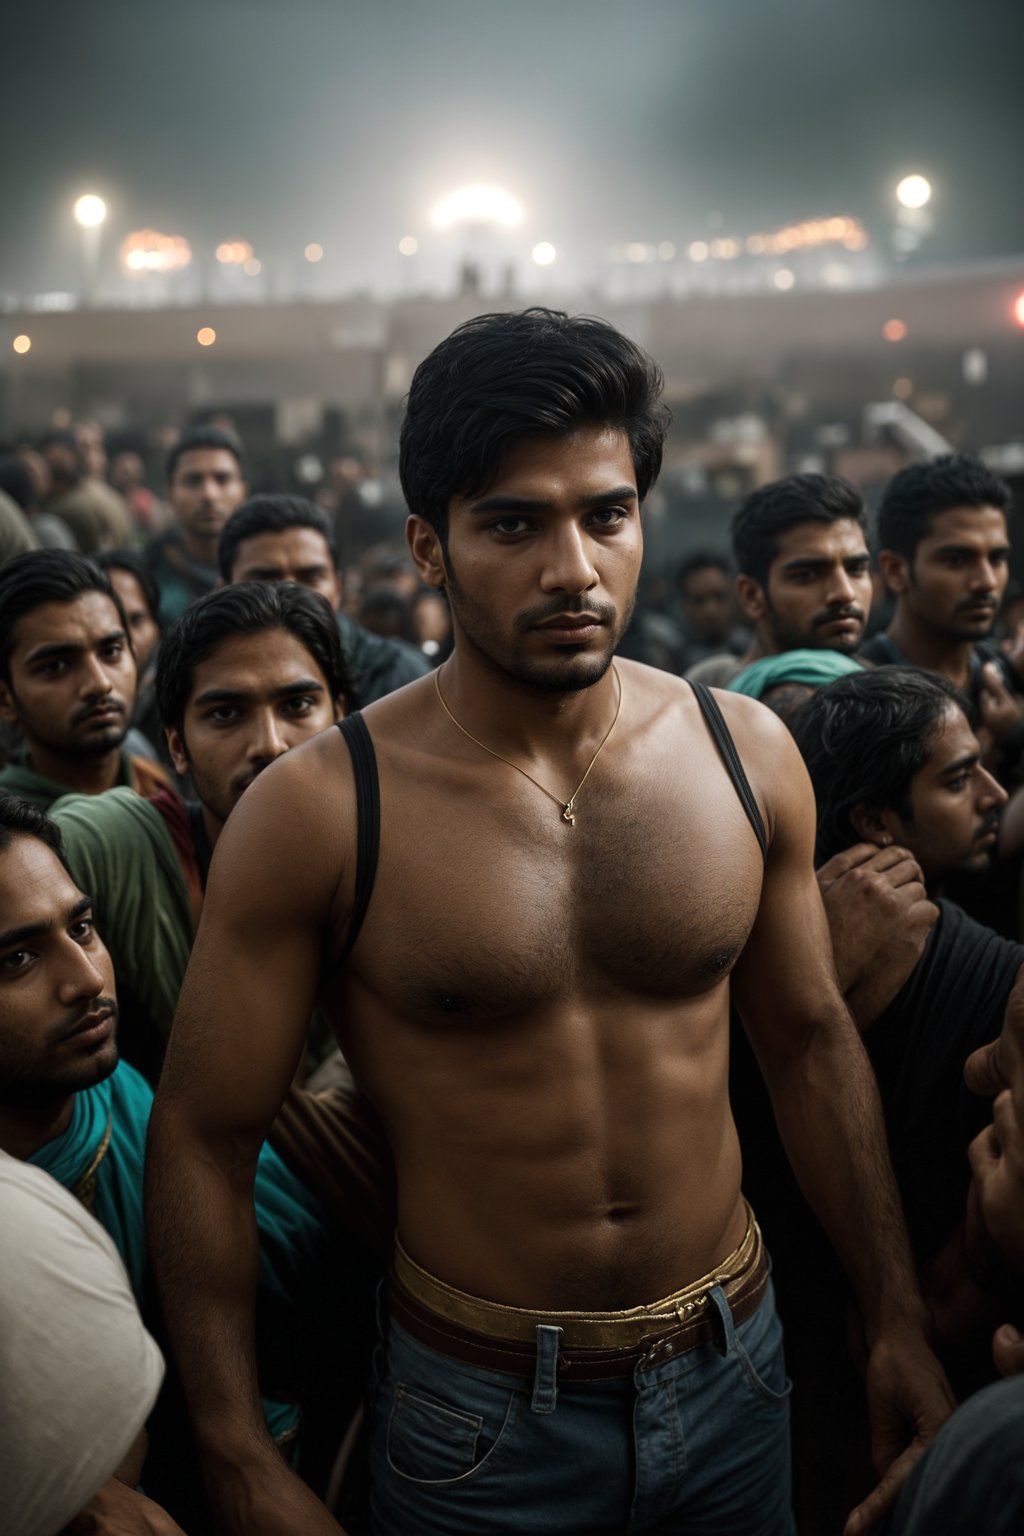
[205, 1251]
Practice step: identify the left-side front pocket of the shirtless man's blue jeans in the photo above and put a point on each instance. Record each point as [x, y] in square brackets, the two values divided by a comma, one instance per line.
[432, 1443]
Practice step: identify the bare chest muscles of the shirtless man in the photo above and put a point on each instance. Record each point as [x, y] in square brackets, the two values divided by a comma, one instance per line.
[489, 905]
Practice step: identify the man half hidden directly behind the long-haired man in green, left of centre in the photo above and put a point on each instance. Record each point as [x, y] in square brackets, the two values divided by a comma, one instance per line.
[288, 538]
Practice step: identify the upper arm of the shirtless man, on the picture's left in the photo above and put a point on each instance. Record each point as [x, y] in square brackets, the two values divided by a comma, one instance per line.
[253, 979]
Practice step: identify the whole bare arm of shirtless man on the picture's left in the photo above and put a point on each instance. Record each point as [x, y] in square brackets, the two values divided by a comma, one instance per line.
[237, 1038]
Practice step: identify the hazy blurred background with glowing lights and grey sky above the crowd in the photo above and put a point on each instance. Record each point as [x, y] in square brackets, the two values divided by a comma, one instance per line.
[808, 213]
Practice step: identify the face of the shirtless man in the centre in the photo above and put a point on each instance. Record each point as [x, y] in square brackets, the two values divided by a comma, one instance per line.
[543, 568]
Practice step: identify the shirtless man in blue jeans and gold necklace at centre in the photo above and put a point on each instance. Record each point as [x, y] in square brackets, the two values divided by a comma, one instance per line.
[547, 1045]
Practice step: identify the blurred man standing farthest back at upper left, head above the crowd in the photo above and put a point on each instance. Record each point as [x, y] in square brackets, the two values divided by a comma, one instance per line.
[206, 482]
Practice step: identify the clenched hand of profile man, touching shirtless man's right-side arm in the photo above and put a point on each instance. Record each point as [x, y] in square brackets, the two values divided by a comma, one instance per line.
[879, 919]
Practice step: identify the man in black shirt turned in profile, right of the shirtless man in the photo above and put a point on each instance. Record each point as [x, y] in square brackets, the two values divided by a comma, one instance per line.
[903, 798]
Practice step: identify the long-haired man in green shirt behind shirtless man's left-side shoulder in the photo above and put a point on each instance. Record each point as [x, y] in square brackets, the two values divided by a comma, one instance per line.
[245, 675]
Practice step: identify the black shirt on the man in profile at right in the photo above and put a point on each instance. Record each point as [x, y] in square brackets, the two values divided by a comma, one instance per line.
[953, 1004]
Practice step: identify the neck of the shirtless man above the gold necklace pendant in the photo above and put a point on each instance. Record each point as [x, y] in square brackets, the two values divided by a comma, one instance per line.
[520, 720]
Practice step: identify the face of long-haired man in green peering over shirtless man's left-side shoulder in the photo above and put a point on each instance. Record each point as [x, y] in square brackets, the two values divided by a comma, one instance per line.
[253, 700]
